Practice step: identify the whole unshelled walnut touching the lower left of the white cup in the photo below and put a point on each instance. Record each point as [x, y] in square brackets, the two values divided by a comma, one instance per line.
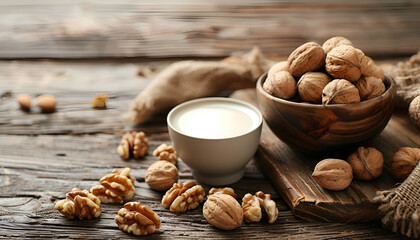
[161, 175]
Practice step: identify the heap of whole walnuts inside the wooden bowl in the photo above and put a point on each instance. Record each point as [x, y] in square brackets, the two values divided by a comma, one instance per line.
[334, 73]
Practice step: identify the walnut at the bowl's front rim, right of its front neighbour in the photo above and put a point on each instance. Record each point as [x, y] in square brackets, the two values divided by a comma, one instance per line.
[340, 91]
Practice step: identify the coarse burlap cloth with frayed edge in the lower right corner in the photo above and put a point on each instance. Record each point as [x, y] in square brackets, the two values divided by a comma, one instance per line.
[401, 206]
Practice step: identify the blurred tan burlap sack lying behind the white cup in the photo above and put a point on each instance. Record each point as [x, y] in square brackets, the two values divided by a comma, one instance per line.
[186, 80]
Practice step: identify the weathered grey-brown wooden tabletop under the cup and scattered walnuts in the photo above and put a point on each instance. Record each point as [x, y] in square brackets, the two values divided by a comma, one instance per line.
[43, 156]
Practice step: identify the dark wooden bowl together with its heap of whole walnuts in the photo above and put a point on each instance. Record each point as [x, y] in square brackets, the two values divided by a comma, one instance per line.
[324, 97]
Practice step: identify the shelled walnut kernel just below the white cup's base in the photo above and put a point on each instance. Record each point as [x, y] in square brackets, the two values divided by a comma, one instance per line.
[183, 196]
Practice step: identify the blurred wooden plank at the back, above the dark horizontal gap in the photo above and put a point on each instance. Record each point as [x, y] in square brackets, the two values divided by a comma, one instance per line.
[129, 28]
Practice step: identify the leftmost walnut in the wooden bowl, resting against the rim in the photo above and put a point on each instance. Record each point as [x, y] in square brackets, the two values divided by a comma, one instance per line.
[280, 84]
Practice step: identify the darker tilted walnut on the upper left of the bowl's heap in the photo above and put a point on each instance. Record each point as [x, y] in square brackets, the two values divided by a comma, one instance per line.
[308, 57]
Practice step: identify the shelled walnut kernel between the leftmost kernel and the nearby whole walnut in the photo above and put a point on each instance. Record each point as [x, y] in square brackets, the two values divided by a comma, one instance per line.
[115, 187]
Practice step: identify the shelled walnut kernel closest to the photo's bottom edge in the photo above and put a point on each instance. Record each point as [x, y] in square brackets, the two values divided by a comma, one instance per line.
[137, 219]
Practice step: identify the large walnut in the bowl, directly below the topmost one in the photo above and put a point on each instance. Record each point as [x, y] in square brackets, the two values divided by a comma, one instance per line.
[344, 62]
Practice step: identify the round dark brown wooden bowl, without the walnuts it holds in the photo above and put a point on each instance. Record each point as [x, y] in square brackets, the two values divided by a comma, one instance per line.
[315, 127]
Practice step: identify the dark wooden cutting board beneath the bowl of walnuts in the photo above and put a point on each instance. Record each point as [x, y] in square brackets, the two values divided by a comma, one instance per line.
[289, 170]
